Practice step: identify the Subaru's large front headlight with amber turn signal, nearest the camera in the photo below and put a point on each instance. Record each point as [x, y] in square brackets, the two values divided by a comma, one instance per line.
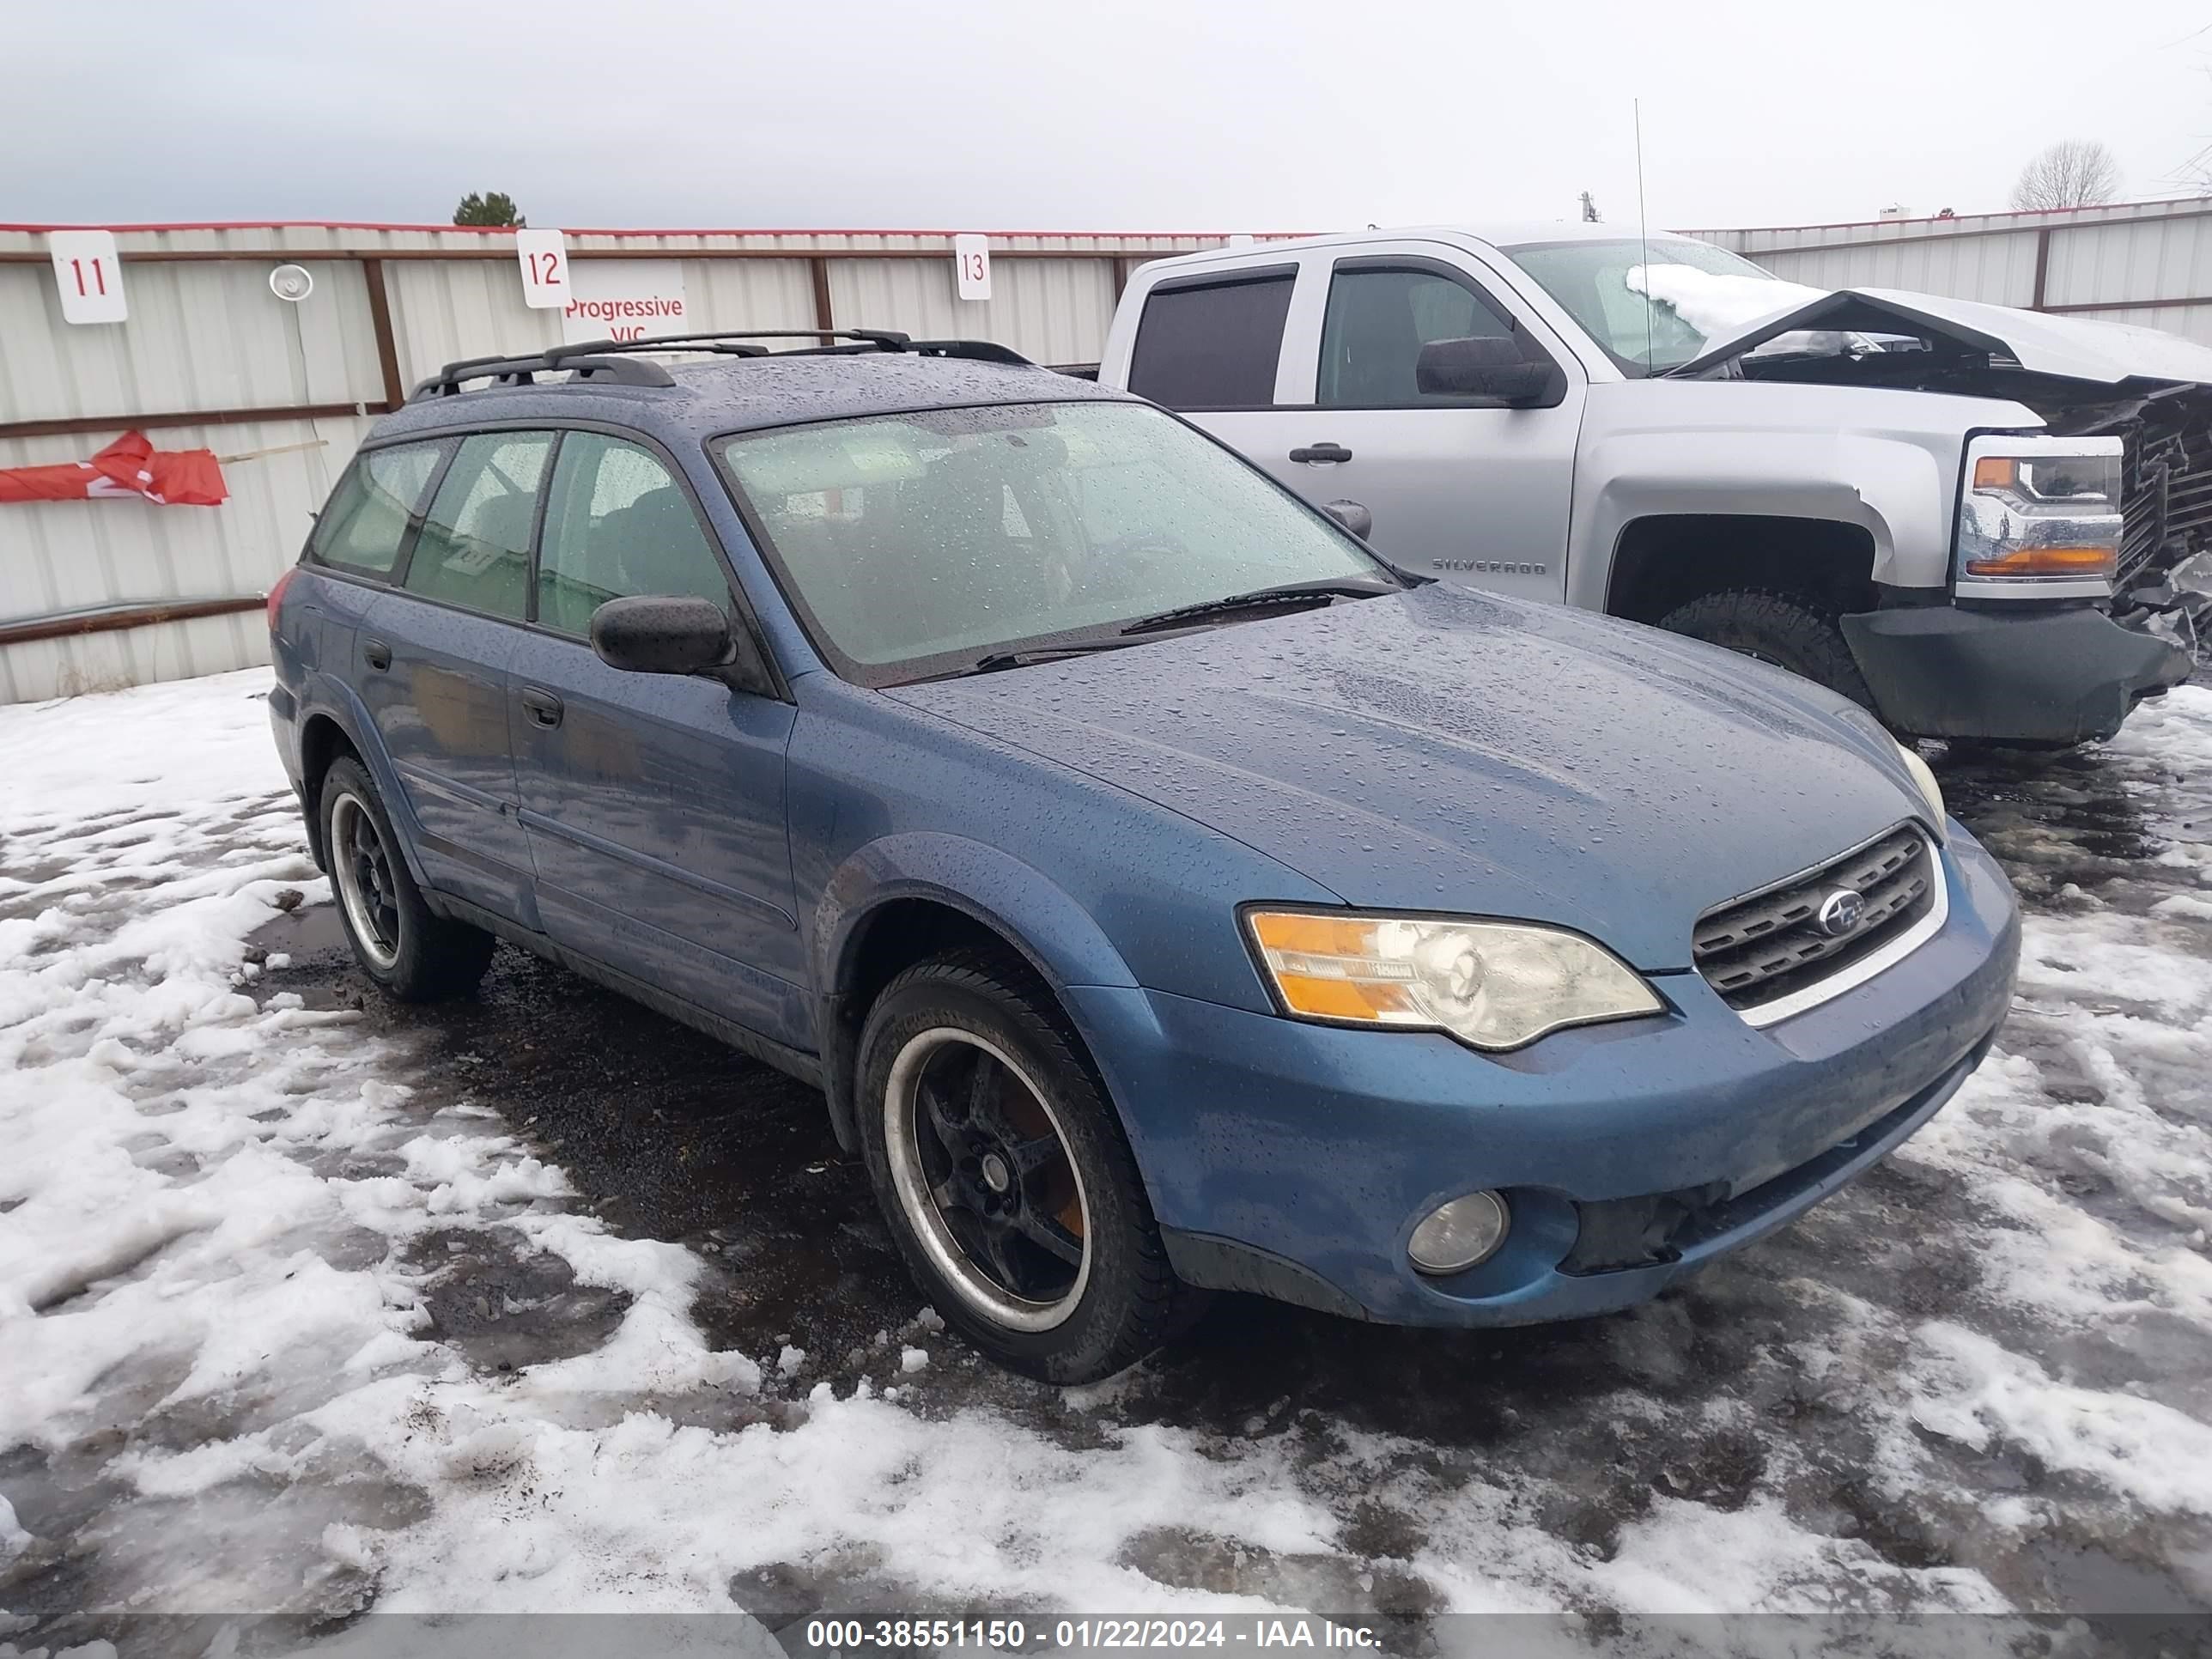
[1492, 985]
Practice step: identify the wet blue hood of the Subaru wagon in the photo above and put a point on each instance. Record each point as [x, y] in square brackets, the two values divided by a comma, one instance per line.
[1450, 751]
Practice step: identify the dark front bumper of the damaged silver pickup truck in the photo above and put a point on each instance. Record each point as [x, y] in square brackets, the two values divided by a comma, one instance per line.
[2010, 678]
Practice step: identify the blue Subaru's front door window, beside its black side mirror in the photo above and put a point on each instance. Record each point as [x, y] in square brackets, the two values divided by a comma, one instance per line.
[618, 525]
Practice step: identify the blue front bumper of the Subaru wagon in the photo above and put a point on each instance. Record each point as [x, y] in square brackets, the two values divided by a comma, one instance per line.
[1295, 1160]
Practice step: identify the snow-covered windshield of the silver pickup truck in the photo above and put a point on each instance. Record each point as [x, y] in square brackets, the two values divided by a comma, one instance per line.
[1698, 293]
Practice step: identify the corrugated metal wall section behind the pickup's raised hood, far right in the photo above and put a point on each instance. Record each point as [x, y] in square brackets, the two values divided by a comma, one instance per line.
[2142, 262]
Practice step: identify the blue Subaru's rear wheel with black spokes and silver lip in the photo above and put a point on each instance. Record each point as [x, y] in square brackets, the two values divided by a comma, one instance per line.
[399, 943]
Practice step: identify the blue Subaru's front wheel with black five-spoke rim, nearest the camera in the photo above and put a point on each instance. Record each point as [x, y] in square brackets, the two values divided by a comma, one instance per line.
[1005, 1178]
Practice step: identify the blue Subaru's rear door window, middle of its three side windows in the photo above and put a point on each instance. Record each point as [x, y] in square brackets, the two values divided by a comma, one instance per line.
[477, 543]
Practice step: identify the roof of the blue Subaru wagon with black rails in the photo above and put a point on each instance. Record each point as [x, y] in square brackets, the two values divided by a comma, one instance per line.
[753, 393]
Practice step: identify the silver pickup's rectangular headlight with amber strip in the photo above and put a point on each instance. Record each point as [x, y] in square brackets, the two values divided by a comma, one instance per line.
[2038, 519]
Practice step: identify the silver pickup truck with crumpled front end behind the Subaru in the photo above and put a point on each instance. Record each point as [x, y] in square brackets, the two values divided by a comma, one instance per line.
[1961, 517]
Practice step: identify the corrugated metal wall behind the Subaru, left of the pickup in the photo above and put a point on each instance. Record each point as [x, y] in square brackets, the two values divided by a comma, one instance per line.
[209, 337]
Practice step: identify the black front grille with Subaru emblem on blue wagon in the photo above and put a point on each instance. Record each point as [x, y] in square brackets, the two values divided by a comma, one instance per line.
[1771, 943]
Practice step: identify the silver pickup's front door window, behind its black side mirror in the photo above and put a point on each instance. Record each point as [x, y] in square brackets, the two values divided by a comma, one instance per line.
[1377, 324]
